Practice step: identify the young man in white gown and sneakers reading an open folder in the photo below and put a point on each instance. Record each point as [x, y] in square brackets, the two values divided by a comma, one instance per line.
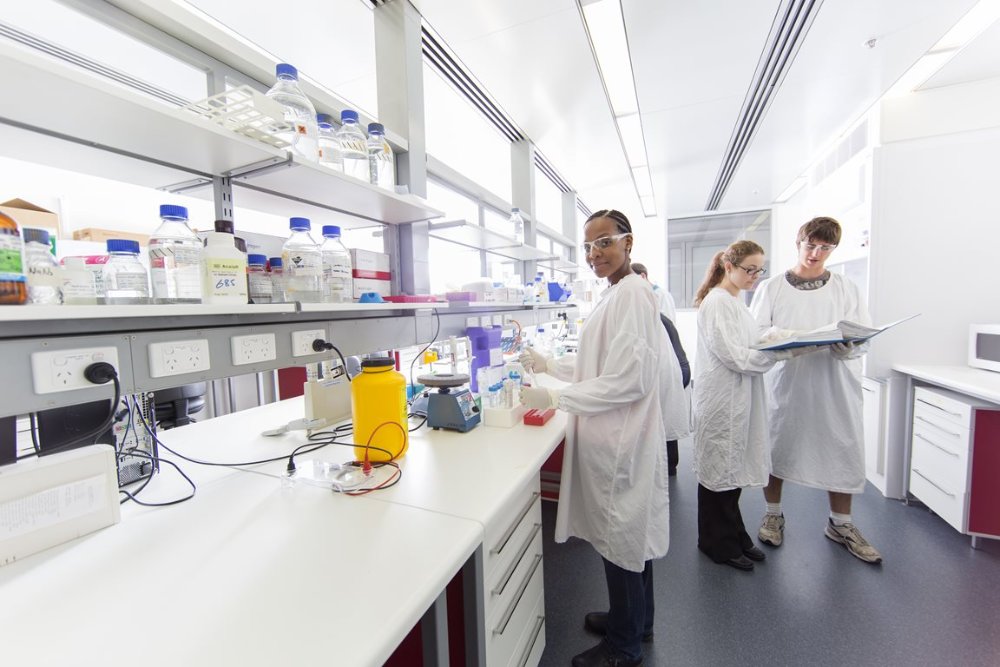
[815, 404]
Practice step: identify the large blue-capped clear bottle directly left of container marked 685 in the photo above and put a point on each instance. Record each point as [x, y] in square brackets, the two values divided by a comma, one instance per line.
[175, 254]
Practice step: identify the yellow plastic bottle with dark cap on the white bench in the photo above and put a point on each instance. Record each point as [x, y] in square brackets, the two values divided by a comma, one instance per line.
[378, 401]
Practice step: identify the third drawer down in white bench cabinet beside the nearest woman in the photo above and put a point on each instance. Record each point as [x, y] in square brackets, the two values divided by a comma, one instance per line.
[507, 624]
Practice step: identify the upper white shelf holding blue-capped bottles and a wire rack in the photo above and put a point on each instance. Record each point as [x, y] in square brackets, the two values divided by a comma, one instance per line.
[78, 120]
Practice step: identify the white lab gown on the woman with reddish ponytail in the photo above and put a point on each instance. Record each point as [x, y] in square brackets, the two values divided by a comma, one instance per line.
[730, 435]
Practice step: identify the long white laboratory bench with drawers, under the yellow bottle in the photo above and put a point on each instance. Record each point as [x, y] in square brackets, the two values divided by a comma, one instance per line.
[254, 570]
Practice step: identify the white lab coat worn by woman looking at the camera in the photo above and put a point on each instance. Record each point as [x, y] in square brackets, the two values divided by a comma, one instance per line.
[625, 401]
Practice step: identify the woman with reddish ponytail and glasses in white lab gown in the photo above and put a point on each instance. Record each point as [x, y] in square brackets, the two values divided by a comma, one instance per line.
[731, 437]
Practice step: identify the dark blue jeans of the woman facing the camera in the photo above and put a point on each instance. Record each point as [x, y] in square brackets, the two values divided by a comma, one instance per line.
[630, 612]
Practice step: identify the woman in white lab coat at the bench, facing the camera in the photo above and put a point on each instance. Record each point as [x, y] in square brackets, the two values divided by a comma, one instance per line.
[625, 400]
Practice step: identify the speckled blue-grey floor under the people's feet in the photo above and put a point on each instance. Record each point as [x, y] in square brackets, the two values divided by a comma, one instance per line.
[933, 601]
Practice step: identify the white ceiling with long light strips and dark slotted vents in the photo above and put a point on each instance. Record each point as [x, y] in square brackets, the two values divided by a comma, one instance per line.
[693, 63]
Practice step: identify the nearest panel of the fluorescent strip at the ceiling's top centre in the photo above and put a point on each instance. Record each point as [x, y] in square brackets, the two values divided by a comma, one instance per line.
[606, 26]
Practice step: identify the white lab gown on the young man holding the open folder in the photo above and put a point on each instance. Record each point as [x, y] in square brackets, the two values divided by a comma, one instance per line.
[815, 404]
